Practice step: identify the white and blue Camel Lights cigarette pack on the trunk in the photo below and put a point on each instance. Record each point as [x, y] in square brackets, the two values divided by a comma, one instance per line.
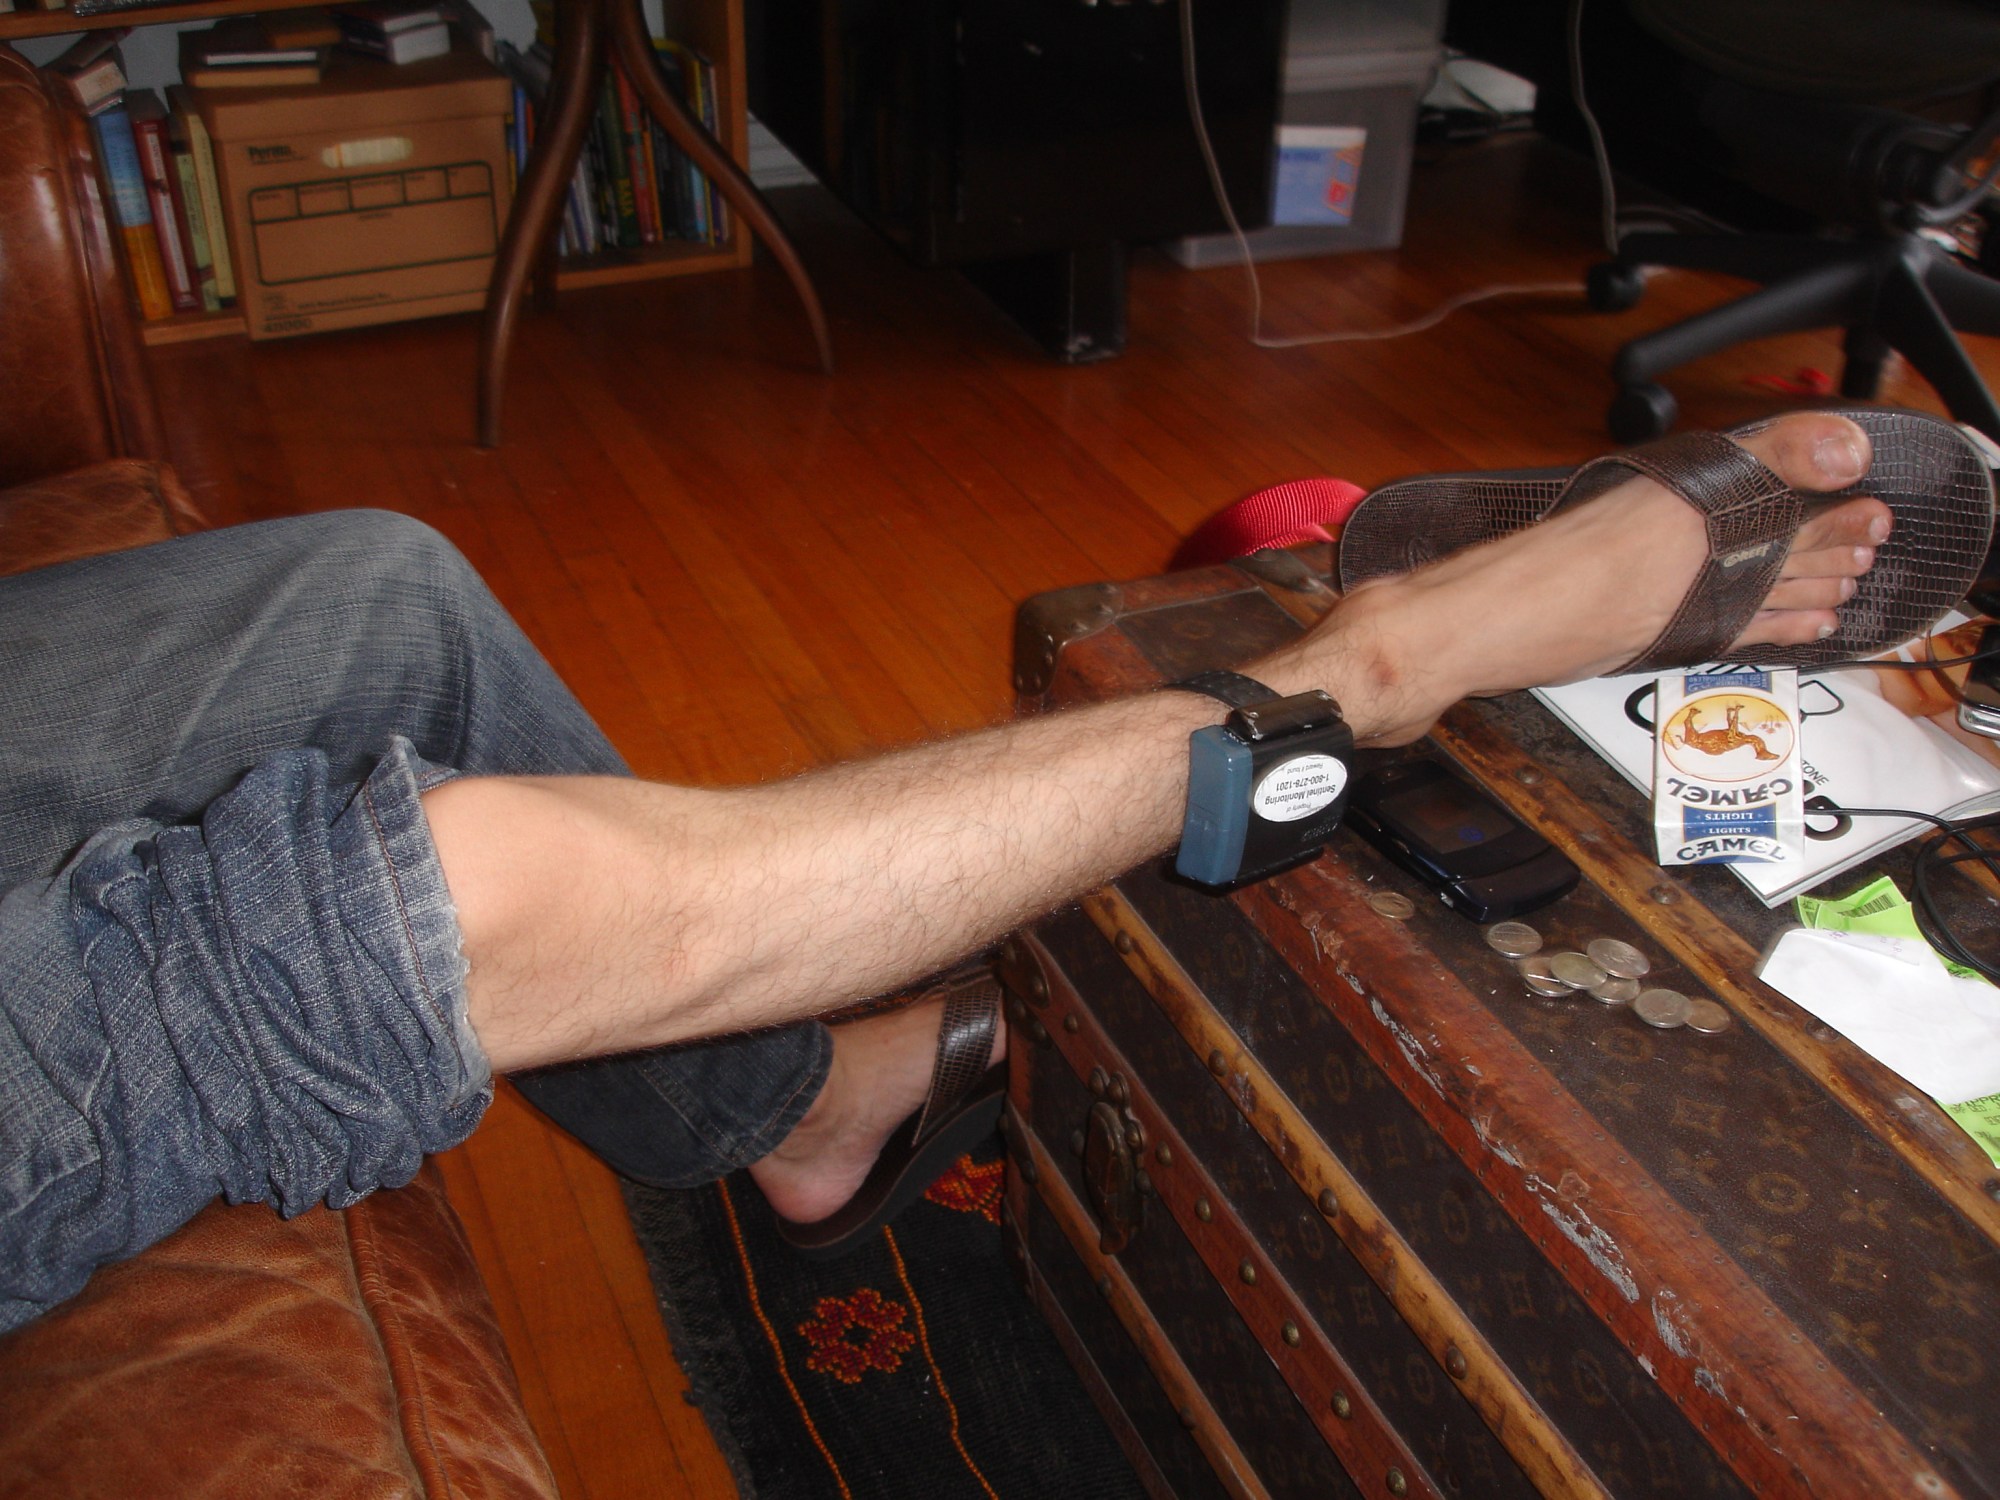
[1727, 783]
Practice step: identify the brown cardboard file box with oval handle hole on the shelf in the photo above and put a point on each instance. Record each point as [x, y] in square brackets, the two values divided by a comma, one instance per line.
[371, 197]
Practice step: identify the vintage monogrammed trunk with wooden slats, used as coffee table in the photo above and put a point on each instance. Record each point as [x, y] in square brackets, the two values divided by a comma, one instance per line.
[1323, 1205]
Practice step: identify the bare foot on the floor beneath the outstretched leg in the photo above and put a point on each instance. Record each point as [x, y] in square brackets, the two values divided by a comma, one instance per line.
[879, 1077]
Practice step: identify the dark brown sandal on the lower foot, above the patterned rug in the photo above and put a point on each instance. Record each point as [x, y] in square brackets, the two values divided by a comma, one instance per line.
[959, 1111]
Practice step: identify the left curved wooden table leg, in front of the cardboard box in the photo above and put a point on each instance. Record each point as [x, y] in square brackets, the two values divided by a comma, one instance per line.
[539, 201]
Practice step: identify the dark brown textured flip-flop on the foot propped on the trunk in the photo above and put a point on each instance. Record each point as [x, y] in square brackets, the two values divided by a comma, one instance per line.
[1925, 471]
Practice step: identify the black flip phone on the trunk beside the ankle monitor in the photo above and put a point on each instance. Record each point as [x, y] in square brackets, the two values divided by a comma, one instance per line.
[1479, 857]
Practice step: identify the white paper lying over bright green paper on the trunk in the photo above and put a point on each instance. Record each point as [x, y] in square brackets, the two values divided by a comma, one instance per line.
[1899, 1003]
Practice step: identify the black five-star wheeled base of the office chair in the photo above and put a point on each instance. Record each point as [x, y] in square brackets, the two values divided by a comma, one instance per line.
[1889, 293]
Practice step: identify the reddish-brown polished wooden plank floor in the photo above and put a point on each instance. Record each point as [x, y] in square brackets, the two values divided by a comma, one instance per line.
[747, 569]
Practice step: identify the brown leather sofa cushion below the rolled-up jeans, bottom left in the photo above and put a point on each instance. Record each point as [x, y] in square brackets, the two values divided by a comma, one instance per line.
[333, 1355]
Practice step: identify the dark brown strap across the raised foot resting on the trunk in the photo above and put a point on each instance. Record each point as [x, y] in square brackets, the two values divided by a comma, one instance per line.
[1751, 517]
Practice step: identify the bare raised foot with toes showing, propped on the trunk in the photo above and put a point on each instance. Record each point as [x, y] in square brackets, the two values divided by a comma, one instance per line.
[1589, 589]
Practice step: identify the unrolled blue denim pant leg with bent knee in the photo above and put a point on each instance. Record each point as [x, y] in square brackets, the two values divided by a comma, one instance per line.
[149, 683]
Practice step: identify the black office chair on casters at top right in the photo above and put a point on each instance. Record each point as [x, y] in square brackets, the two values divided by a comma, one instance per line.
[1795, 99]
